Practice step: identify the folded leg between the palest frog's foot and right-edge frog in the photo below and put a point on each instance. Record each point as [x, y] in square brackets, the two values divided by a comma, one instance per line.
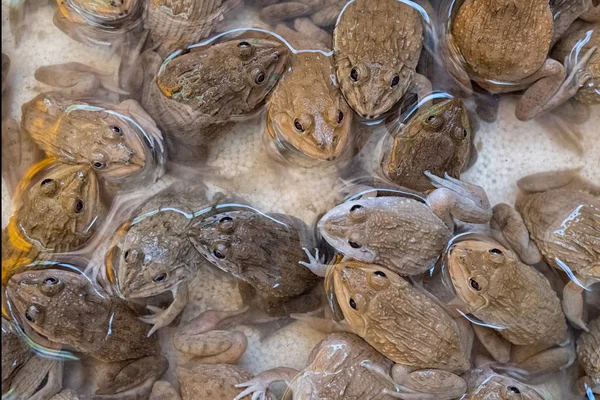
[508, 227]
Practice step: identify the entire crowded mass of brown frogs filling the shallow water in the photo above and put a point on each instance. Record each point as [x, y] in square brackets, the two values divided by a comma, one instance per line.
[414, 304]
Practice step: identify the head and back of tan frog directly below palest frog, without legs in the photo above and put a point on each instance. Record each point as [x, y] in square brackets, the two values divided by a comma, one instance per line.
[401, 322]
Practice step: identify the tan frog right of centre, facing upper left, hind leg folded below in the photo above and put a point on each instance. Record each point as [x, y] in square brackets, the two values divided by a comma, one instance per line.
[515, 303]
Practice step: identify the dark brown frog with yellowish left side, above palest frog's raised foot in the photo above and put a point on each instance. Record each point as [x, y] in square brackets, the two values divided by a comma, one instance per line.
[436, 140]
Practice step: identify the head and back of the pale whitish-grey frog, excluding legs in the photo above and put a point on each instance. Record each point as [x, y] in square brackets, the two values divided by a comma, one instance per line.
[400, 233]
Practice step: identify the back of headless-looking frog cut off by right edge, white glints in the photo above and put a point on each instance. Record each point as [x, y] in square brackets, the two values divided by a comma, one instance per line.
[565, 225]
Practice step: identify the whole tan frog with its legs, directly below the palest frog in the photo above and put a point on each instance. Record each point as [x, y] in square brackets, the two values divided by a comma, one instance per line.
[405, 324]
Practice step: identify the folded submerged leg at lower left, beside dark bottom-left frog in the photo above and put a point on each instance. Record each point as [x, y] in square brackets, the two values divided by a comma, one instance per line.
[199, 338]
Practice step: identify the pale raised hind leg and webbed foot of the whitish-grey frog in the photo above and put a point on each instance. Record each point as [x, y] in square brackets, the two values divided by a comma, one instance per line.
[454, 198]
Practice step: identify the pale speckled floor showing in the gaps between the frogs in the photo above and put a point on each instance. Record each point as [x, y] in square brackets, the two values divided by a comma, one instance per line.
[508, 150]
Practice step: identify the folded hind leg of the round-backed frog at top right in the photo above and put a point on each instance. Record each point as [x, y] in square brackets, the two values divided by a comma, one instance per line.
[546, 81]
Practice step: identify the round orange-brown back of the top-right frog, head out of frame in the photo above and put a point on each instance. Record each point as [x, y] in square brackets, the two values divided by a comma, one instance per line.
[503, 40]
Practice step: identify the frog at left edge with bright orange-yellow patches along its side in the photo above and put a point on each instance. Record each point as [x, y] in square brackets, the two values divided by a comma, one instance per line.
[58, 208]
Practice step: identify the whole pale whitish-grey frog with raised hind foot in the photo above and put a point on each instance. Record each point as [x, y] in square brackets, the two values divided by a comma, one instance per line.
[406, 234]
